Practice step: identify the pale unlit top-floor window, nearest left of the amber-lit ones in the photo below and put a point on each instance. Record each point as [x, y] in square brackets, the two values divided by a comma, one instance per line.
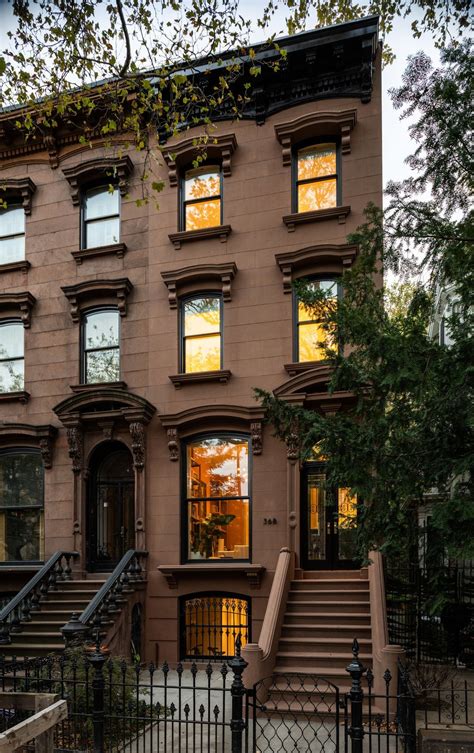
[100, 217]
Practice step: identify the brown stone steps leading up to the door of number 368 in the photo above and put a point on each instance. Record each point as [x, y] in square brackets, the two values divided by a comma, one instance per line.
[325, 611]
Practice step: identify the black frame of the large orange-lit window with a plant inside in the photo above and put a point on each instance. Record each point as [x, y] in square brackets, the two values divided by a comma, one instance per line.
[185, 499]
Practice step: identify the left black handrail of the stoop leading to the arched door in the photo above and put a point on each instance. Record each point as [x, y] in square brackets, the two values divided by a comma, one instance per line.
[18, 609]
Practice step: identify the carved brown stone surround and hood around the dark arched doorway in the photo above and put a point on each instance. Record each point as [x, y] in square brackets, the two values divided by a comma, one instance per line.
[89, 418]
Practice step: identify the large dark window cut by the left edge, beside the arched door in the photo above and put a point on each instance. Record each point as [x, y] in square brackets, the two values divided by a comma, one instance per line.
[21, 506]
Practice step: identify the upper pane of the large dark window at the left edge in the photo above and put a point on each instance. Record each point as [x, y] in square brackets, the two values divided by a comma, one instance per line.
[21, 479]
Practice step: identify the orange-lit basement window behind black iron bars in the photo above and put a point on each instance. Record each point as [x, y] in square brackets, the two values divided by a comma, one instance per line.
[211, 624]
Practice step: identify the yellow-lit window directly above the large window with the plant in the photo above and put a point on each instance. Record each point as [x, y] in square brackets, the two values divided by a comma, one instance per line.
[201, 326]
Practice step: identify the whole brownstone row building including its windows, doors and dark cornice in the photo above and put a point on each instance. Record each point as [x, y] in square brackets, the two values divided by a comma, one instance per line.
[132, 338]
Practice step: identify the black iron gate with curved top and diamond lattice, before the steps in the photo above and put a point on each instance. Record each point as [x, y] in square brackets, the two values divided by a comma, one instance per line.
[297, 713]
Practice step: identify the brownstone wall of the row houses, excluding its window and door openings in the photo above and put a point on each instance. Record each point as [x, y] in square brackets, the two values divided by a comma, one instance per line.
[153, 408]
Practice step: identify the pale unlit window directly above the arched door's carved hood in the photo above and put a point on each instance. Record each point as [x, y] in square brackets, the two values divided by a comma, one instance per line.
[101, 346]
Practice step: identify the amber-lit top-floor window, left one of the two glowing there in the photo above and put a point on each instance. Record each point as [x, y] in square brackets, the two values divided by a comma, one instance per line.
[201, 198]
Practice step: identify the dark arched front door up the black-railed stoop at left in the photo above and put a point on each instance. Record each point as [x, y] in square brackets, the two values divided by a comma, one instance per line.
[110, 502]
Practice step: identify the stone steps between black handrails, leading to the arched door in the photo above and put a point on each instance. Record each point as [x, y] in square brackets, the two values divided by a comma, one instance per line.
[42, 635]
